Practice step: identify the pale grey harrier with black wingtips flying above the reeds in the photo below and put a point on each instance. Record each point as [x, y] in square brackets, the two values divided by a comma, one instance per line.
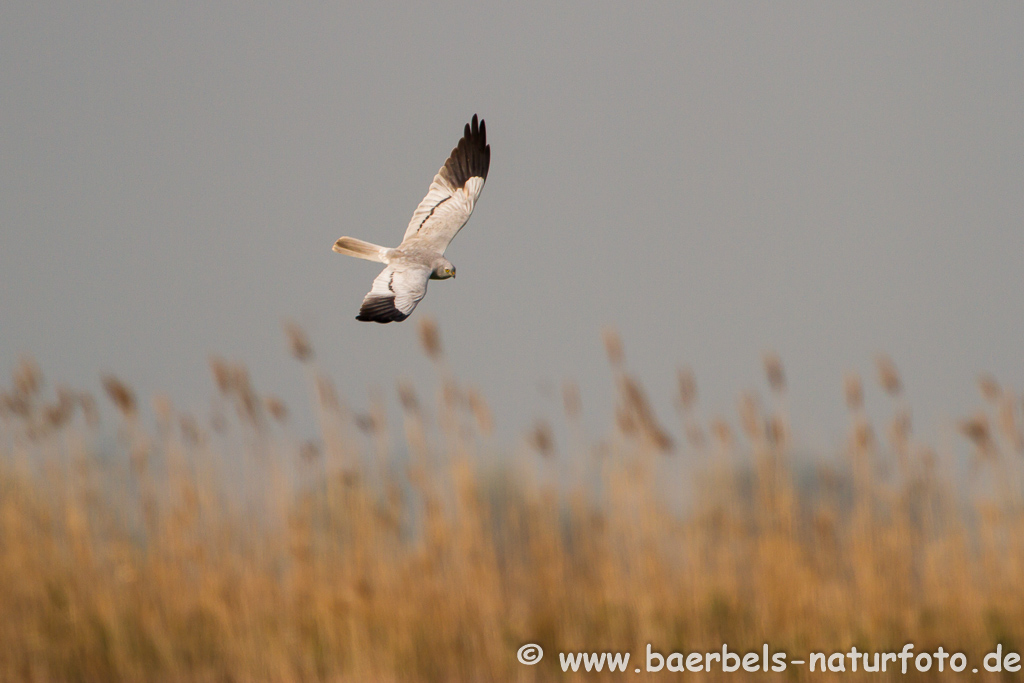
[441, 216]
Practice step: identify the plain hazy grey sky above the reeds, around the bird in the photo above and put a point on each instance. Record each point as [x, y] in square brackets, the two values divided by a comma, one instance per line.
[713, 180]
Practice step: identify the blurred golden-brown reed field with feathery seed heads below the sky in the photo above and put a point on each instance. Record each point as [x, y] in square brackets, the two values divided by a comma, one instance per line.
[143, 543]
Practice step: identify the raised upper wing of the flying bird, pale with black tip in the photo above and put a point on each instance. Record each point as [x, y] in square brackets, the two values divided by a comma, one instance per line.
[453, 194]
